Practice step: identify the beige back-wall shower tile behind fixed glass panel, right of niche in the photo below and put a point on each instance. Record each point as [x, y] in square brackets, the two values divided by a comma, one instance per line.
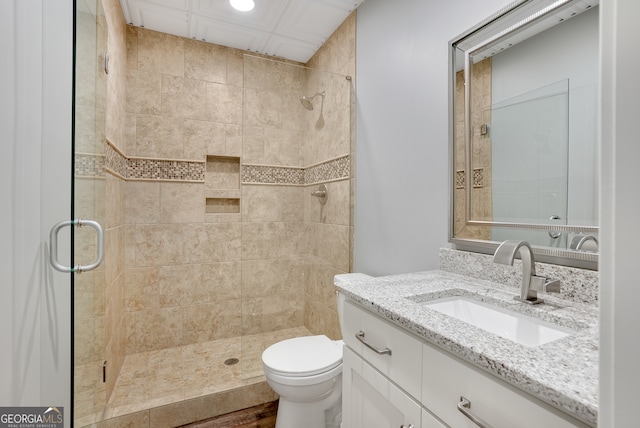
[273, 262]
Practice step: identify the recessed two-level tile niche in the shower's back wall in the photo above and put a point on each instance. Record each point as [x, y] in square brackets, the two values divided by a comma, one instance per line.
[222, 176]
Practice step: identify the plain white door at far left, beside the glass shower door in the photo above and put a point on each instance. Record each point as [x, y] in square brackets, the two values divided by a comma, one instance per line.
[36, 47]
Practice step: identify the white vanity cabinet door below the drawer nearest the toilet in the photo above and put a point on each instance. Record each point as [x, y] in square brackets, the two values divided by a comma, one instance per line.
[370, 400]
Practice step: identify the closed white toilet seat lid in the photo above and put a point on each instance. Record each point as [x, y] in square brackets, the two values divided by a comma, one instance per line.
[303, 356]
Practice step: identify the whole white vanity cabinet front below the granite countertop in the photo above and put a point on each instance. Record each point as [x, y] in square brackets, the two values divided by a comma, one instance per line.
[398, 380]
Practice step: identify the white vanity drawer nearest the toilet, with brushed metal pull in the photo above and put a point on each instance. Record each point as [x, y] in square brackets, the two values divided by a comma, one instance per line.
[404, 363]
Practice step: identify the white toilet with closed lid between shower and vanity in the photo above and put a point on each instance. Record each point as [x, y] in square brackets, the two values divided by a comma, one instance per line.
[307, 374]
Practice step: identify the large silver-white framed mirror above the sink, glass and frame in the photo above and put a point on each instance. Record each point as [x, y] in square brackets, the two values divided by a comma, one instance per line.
[523, 131]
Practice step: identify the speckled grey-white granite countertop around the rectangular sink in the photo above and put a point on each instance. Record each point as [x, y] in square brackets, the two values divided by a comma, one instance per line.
[563, 373]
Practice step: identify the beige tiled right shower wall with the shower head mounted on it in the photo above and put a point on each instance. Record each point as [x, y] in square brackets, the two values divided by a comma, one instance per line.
[330, 226]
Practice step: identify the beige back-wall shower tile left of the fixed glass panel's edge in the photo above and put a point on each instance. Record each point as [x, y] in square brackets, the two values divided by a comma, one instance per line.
[184, 101]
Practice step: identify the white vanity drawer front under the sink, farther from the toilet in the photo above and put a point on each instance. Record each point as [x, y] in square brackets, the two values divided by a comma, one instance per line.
[446, 379]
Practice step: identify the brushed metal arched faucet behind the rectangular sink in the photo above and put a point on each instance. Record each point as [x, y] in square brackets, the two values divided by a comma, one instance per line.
[531, 284]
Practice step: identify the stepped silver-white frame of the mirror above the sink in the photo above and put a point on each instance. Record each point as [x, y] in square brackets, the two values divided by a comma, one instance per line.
[566, 257]
